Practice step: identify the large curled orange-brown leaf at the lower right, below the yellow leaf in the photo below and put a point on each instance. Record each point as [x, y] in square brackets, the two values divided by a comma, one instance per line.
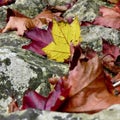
[89, 92]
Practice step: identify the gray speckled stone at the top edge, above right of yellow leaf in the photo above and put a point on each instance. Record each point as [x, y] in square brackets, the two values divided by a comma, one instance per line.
[85, 10]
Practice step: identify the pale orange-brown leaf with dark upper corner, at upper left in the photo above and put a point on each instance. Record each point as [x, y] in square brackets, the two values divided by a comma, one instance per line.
[17, 21]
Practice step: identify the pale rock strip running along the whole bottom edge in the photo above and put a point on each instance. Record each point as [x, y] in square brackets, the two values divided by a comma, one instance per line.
[111, 113]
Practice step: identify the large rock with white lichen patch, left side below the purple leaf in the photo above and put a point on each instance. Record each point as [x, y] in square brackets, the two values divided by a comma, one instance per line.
[20, 69]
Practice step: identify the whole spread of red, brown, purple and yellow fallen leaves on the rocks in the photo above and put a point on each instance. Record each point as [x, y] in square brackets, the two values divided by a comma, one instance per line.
[93, 80]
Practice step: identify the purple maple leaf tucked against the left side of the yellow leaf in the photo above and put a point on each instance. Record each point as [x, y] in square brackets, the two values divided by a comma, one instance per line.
[39, 39]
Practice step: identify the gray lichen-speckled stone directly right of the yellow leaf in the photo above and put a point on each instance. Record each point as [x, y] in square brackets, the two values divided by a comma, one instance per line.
[92, 36]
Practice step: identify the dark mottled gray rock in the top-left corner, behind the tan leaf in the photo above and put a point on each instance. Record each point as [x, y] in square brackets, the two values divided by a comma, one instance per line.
[29, 8]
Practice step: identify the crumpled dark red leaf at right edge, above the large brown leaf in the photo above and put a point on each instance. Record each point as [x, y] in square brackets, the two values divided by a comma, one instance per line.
[111, 57]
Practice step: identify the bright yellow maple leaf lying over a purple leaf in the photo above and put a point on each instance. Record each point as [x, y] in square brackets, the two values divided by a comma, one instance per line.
[63, 34]
